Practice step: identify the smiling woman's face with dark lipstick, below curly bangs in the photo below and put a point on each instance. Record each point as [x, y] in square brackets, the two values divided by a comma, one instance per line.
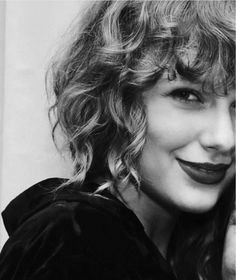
[188, 157]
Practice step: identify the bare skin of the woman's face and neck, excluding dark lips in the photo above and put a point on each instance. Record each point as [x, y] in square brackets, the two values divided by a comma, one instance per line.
[194, 126]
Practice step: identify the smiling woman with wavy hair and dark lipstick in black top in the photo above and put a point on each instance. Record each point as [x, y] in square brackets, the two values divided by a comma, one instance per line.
[145, 96]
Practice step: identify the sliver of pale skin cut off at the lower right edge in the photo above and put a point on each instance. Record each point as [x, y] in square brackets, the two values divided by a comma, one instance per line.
[229, 254]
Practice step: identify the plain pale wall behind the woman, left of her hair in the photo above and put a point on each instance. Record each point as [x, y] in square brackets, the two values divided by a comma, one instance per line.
[30, 33]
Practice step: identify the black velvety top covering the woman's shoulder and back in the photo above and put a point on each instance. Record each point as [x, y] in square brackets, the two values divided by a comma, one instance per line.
[75, 235]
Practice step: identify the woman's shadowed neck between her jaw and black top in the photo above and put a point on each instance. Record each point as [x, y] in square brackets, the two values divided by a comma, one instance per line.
[157, 221]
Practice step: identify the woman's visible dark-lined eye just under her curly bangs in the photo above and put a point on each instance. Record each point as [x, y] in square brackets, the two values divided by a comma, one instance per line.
[186, 95]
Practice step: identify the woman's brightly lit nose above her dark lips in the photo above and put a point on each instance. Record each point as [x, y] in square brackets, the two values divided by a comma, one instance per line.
[219, 133]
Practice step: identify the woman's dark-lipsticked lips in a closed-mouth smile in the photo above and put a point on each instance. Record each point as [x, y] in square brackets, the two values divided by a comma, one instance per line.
[204, 173]
